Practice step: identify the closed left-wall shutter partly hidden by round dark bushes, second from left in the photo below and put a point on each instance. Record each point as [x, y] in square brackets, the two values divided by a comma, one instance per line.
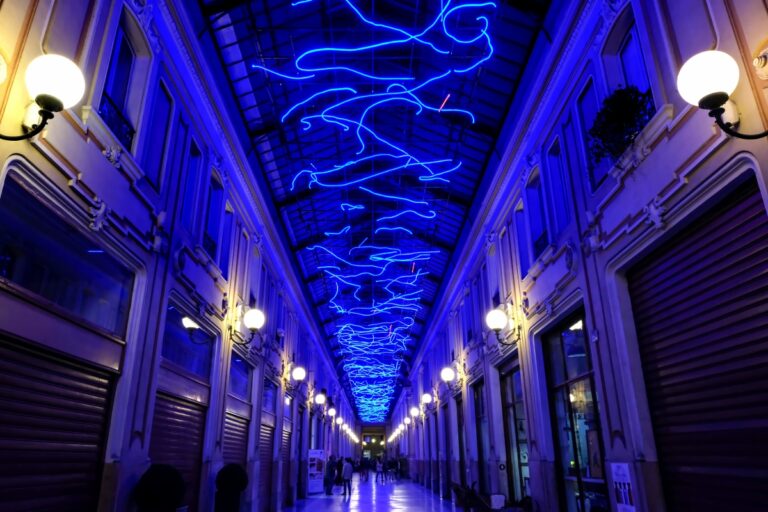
[177, 439]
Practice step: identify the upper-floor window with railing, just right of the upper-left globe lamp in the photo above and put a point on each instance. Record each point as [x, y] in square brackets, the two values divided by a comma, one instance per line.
[114, 101]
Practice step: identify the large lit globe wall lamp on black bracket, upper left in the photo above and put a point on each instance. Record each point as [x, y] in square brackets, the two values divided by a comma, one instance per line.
[55, 83]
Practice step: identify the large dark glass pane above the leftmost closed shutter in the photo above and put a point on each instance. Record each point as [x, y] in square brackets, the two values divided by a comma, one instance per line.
[43, 254]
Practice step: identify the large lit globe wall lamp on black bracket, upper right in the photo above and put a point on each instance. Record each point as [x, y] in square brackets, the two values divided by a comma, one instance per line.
[707, 81]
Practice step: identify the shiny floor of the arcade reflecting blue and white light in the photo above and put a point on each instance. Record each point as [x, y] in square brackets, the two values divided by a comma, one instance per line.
[403, 496]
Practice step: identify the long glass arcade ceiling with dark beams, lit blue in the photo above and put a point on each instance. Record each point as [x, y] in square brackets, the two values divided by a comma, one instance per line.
[373, 124]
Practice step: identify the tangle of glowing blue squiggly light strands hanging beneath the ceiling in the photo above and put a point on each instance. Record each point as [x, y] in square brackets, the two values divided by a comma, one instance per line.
[375, 330]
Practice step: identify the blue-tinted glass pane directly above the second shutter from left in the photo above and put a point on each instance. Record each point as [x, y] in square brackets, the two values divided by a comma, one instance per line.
[192, 353]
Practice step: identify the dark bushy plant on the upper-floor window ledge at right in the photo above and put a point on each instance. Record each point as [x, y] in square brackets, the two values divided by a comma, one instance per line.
[623, 115]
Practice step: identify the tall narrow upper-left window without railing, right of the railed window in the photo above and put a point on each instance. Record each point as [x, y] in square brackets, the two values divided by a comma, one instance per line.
[158, 134]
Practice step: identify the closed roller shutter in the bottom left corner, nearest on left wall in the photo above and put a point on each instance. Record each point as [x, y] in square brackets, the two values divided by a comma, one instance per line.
[53, 426]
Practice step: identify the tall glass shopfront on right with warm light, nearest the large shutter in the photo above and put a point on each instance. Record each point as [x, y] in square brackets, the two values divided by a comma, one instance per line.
[575, 420]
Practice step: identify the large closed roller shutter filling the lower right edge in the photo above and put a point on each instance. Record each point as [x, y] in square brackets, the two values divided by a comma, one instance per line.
[700, 304]
